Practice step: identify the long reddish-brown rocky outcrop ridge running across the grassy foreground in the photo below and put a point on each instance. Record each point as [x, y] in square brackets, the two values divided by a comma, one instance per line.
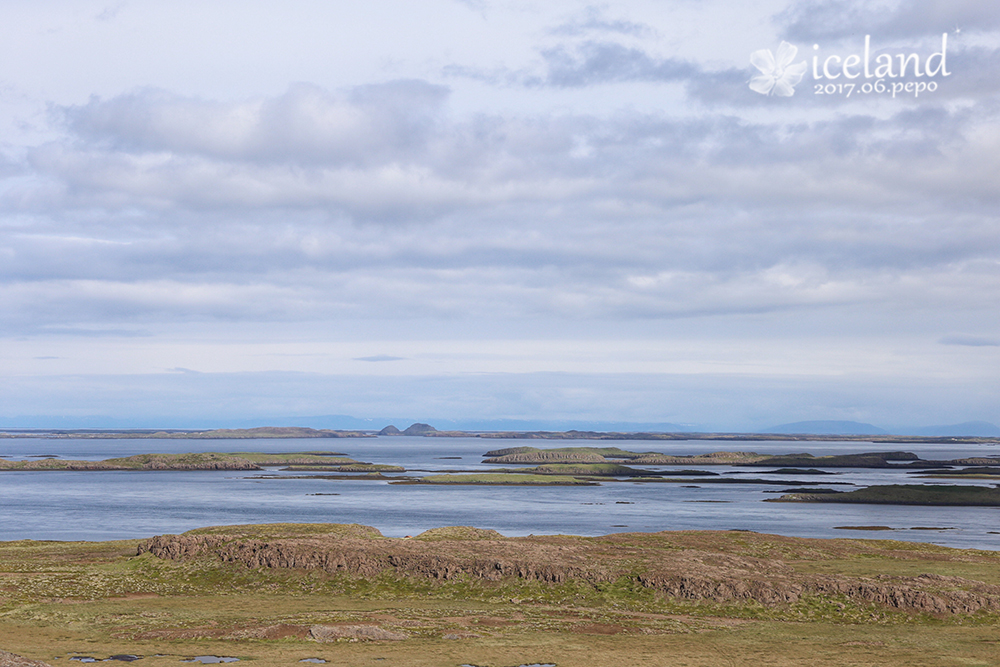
[689, 574]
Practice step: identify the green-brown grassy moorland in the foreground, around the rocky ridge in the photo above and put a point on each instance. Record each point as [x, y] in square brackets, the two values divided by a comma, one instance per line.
[101, 599]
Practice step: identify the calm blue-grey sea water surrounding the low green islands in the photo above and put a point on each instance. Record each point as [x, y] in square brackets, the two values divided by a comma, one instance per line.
[116, 505]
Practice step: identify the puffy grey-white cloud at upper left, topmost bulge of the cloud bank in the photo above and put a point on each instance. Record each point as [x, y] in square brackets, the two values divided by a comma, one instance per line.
[371, 125]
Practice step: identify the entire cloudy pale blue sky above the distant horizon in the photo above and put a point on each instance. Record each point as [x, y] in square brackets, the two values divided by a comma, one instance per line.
[704, 213]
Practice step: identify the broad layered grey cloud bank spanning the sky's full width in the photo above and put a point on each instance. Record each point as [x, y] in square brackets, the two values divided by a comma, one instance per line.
[142, 215]
